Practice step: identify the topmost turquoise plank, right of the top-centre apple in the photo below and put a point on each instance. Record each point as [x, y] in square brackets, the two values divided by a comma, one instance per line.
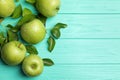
[90, 6]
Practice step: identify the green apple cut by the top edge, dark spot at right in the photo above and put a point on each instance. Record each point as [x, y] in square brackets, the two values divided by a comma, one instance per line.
[48, 8]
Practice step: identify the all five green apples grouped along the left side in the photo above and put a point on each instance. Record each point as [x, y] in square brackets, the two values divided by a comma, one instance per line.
[14, 52]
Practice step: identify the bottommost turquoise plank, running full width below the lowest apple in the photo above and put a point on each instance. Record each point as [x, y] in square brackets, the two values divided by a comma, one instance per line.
[66, 72]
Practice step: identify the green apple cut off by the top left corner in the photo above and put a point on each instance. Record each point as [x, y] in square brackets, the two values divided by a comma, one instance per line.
[6, 7]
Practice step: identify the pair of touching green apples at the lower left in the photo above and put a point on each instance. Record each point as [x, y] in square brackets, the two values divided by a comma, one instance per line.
[14, 52]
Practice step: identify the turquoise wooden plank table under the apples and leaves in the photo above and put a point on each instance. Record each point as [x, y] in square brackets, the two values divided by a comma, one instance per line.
[89, 48]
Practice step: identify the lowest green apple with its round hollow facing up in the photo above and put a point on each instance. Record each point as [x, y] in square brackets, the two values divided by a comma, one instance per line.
[32, 65]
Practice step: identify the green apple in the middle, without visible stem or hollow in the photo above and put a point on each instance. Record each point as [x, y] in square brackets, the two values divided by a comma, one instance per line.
[33, 31]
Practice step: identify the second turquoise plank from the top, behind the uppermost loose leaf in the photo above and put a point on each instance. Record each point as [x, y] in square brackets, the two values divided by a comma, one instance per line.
[87, 26]
